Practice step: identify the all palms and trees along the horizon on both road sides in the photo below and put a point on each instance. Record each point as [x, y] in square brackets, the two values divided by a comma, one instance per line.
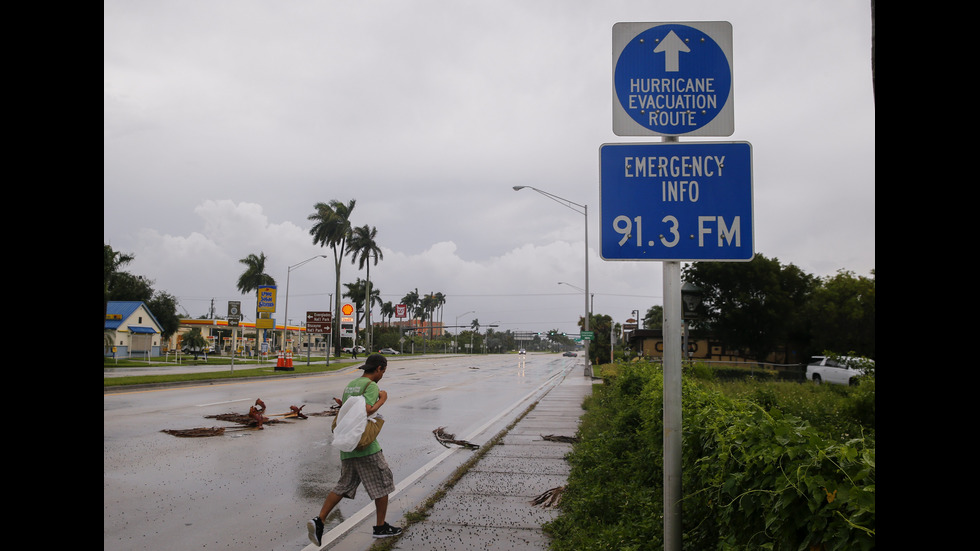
[756, 307]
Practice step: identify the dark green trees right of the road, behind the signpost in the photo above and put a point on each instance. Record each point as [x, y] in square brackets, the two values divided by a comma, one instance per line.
[763, 306]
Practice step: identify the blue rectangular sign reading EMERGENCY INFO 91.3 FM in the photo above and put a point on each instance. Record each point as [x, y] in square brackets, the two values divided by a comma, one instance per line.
[676, 201]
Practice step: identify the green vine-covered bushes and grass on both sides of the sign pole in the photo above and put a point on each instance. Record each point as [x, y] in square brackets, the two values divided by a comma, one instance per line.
[755, 475]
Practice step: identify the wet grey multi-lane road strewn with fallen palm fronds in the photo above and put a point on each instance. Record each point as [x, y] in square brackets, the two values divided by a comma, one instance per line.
[256, 489]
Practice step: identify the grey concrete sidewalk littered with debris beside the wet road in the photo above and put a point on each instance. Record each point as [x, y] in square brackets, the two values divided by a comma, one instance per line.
[489, 508]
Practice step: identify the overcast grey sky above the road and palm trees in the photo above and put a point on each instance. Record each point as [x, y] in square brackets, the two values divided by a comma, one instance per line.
[225, 122]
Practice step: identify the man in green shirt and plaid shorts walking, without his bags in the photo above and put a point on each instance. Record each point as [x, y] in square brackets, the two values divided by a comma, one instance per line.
[367, 465]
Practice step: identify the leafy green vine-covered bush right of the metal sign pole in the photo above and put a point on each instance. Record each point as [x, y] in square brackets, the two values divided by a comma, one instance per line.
[768, 480]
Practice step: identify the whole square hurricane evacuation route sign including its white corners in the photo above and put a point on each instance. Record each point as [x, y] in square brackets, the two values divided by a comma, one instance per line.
[673, 79]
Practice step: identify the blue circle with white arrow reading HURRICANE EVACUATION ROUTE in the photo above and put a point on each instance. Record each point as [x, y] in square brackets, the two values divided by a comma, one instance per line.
[672, 79]
